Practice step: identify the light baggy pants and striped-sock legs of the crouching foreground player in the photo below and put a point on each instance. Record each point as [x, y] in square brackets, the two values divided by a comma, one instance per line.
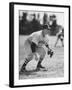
[34, 49]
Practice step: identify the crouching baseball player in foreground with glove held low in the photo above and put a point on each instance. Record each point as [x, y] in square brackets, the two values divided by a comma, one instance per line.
[35, 41]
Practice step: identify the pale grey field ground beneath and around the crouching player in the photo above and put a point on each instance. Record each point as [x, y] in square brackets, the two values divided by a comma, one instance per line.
[54, 66]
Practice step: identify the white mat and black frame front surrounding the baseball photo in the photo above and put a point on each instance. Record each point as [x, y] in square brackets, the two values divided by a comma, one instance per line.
[43, 81]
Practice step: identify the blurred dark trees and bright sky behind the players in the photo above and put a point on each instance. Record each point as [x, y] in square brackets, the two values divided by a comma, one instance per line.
[31, 21]
